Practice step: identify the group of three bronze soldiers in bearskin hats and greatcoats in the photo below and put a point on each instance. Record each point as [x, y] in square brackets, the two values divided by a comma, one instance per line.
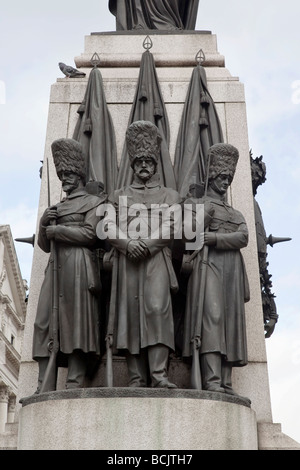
[69, 321]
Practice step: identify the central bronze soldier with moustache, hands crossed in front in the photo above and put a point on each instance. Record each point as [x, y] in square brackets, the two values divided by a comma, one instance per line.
[145, 277]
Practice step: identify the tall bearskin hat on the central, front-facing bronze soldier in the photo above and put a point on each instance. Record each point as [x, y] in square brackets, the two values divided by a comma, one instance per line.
[143, 140]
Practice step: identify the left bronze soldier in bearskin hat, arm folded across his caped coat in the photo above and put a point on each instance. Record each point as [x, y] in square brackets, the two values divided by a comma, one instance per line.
[72, 281]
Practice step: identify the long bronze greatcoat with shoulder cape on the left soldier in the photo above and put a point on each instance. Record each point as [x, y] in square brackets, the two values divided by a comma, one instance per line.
[78, 279]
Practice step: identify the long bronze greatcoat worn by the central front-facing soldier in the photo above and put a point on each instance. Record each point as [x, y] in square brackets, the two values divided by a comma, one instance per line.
[142, 296]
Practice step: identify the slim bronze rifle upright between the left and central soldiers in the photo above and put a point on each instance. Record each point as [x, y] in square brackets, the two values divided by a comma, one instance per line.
[111, 321]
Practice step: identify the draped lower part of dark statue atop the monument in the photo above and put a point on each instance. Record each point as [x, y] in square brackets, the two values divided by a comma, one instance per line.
[154, 14]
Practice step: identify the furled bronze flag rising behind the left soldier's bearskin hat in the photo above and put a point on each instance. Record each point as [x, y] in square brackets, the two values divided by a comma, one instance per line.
[95, 131]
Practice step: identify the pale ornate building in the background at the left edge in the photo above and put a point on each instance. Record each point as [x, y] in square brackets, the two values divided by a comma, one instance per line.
[12, 319]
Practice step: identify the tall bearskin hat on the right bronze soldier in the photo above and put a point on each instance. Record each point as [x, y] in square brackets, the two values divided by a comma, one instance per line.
[222, 158]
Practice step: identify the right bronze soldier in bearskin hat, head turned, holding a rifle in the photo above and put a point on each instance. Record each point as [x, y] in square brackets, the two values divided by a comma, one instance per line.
[221, 332]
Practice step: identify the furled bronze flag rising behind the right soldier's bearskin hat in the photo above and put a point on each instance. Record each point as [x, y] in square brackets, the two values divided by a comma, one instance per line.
[200, 128]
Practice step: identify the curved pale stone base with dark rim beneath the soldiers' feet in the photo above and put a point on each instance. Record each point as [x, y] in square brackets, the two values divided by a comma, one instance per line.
[136, 419]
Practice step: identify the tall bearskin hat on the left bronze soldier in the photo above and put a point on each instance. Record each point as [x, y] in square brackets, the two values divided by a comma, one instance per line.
[68, 156]
